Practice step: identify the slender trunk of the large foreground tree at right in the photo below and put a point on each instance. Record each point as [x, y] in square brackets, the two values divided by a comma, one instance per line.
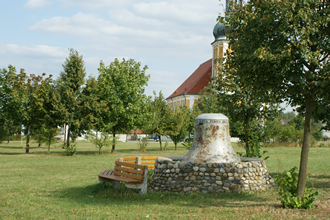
[305, 147]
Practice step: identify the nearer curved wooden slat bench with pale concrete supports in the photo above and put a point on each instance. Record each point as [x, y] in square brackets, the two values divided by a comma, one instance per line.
[133, 175]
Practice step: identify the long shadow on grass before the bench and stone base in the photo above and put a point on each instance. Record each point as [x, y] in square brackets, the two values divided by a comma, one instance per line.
[103, 193]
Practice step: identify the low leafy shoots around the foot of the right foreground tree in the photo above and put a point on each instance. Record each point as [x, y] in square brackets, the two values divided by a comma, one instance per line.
[287, 183]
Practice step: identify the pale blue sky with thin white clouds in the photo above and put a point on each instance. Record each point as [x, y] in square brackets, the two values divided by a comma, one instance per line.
[171, 37]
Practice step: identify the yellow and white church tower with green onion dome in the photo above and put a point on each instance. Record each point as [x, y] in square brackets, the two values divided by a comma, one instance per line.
[220, 46]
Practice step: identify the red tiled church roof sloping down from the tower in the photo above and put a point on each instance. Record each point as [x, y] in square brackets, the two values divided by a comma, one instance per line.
[196, 81]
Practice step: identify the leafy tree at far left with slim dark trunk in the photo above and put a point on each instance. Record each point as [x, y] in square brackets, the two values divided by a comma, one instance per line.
[25, 98]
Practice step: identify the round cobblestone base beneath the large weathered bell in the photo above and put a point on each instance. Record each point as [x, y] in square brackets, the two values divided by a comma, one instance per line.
[172, 174]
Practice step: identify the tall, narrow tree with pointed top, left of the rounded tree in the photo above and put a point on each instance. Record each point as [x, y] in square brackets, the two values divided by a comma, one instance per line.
[67, 98]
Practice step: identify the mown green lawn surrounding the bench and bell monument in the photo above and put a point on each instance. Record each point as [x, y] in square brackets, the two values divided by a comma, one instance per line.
[42, 186]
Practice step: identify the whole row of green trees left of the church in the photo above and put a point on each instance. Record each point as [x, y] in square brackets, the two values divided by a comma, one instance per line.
[113, 102]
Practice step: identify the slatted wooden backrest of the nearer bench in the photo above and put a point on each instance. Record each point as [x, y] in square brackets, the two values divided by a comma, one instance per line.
[129, 170]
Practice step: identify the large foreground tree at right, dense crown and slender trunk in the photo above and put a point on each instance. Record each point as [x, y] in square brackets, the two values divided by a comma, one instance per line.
[282, 49]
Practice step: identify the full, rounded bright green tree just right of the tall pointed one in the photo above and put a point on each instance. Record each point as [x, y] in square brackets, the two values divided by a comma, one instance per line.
[121, 85]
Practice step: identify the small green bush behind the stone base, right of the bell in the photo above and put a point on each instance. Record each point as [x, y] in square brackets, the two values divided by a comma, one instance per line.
[254, 149]
